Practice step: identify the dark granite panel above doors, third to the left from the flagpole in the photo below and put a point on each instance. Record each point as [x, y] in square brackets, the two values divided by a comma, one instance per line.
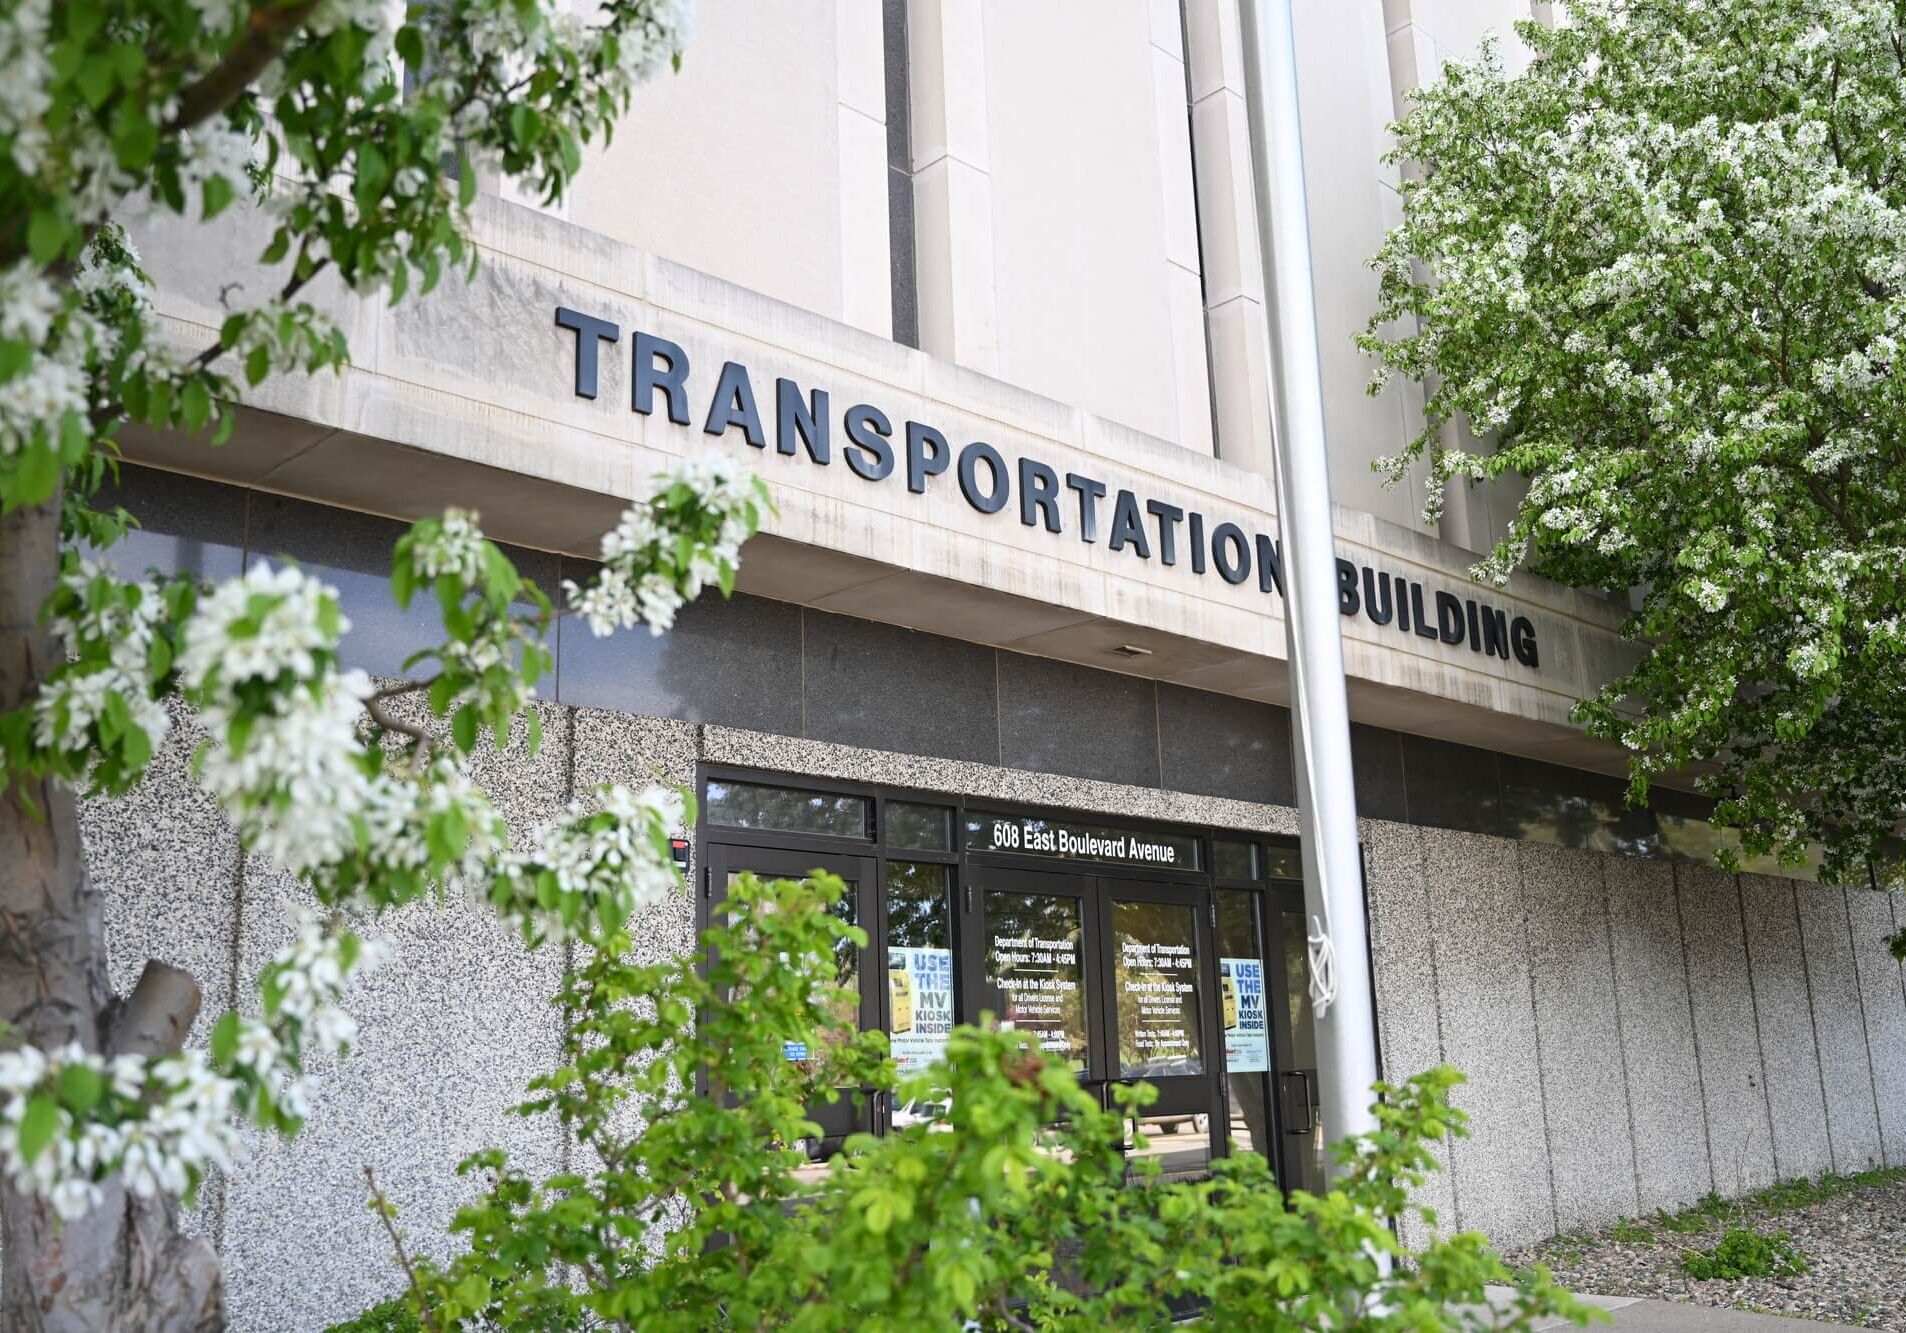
[895, 689]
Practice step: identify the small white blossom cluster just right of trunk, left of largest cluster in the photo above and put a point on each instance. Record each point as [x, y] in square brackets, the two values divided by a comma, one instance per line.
[113, 642]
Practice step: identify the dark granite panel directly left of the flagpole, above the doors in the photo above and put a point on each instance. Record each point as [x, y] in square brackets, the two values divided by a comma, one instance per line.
[1217, 745]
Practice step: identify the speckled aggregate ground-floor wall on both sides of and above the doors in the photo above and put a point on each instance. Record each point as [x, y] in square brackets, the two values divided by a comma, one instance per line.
[1552, 977]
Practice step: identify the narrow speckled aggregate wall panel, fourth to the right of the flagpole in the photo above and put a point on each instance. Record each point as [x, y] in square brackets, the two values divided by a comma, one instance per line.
[1669, 1118]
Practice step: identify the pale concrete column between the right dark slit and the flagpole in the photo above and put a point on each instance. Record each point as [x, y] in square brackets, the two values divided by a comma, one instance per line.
[1228, 236]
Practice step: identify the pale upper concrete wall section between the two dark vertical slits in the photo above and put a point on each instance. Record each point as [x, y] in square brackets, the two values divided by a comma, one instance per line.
[1055, 205]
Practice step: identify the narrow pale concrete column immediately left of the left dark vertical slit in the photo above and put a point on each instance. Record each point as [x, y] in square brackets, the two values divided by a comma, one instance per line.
[866, 253]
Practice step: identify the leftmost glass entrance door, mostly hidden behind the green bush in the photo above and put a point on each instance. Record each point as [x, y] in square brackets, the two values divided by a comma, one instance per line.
[855, 1111]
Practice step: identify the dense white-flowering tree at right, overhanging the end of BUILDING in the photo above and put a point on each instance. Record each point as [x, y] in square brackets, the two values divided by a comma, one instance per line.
[1663, 274]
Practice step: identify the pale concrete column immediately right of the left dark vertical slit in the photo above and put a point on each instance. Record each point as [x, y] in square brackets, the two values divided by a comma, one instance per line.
[952, 184]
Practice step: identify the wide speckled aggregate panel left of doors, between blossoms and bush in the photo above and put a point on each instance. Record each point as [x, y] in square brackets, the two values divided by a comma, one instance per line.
[451, 1031]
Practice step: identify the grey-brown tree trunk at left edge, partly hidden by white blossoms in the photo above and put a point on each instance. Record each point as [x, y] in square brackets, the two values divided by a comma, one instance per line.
[127, 1265]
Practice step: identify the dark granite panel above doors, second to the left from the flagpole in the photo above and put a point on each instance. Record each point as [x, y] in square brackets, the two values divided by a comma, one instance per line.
[1065, 718]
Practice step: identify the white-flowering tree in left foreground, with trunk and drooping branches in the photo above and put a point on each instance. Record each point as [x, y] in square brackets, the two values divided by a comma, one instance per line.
[363, 131]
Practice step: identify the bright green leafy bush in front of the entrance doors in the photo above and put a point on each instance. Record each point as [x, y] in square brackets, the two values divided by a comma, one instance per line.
[693, 1206]
